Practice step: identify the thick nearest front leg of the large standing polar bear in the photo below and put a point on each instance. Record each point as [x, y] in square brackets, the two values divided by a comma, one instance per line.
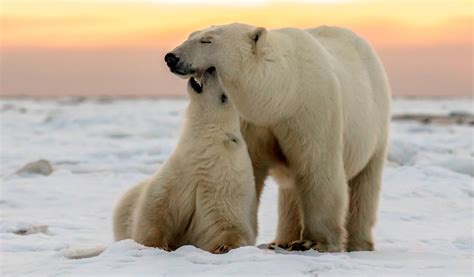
[314, 151]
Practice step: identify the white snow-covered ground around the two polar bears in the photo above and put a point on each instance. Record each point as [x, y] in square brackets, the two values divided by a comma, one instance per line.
[100, 148]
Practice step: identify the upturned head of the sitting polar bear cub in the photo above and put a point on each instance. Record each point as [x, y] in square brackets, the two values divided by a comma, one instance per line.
[209, 102]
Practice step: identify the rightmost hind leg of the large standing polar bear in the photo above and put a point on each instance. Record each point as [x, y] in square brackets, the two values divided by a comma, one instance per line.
[363, 203]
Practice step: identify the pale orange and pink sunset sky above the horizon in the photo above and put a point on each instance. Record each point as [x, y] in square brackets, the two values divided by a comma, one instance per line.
[116, 47]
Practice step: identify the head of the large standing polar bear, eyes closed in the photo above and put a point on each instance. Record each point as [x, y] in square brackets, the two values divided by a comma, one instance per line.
[227, 48]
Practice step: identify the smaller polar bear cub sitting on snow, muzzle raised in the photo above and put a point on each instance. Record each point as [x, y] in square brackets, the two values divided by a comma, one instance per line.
[204, 194]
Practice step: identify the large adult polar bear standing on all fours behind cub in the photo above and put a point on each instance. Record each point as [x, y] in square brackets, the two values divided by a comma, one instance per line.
[316, 105]
